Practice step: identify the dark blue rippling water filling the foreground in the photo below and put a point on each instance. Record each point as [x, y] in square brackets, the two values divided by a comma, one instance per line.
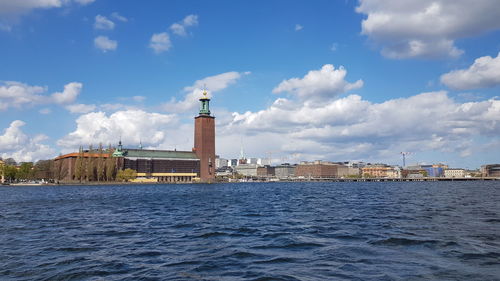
[259, 231]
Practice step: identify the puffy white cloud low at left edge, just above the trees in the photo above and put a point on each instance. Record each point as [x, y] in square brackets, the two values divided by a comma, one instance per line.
[14, 143]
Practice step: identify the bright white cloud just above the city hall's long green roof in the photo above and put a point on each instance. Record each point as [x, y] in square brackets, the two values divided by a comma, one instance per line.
[133, 126]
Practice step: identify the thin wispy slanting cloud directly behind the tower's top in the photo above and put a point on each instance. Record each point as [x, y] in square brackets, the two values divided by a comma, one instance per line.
[193, 93]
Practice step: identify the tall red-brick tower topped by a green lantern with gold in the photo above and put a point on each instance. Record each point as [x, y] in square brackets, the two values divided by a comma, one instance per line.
[204, 140]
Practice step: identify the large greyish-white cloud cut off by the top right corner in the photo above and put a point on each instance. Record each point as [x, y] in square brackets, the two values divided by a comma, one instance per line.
[426, 28]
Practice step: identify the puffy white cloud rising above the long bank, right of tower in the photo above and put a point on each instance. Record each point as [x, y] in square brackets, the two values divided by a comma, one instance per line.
[319, 85]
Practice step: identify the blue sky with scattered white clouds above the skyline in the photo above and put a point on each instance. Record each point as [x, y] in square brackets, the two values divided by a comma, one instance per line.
[339, 80]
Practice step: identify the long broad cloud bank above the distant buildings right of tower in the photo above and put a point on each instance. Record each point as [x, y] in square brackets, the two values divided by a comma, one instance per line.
[352, 128]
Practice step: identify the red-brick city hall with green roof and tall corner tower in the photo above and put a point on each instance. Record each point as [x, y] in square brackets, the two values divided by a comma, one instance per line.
[157, 165]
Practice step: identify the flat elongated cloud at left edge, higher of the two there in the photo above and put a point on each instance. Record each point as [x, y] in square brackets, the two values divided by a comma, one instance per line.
[16, 94]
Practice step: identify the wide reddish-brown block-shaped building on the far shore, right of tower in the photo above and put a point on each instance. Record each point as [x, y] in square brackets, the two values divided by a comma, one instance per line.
[320, 169]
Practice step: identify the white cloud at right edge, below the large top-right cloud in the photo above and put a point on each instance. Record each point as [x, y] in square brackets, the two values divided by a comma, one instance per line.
[483, 73]
